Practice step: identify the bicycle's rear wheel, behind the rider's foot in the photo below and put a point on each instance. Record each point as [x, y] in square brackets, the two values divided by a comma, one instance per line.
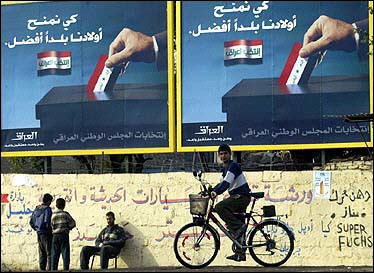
[272, 243]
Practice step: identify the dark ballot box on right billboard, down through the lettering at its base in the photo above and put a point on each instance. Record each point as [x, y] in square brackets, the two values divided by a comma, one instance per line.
[320, 104]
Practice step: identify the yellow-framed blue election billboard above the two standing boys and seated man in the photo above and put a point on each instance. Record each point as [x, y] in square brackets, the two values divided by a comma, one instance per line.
[59, 98]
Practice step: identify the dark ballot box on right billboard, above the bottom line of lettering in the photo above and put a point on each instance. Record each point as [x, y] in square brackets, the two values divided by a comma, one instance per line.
[265, 102]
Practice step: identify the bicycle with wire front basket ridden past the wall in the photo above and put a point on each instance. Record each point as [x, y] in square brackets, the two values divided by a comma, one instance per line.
[270, 241]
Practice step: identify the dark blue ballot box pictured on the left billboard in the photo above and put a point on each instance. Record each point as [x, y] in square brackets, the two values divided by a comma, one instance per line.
[73, 109]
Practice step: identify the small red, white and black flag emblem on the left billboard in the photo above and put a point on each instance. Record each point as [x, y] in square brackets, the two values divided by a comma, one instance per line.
[54, 63]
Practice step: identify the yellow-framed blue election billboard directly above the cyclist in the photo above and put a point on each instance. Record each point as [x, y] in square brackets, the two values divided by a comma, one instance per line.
[242, 82]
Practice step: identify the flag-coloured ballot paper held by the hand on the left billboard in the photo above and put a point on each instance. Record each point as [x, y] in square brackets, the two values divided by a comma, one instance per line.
[103, 78]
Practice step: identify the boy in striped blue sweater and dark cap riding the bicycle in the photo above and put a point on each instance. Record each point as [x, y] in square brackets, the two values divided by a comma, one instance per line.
[234, 181]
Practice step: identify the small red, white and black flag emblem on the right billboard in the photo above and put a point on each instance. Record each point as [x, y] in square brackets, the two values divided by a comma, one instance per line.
[243, 52]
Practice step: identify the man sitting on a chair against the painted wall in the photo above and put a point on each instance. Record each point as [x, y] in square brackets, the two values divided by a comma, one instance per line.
[108, 243]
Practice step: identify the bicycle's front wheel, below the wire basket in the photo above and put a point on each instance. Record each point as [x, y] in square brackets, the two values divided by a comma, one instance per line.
[195, 247]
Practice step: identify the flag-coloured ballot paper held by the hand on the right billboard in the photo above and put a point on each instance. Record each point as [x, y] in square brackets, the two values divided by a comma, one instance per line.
[298, 70]
